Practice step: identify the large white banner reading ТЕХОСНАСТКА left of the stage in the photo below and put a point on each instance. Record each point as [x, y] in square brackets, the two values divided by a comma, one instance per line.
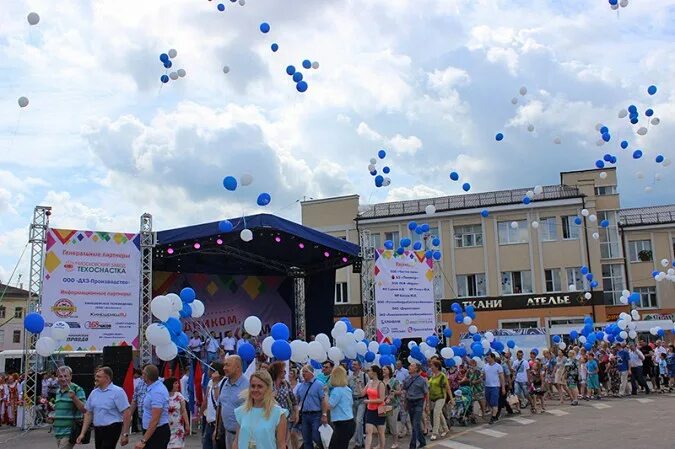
[92, 282]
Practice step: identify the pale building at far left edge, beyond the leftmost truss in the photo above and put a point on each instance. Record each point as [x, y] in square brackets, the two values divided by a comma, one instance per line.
[12, 311]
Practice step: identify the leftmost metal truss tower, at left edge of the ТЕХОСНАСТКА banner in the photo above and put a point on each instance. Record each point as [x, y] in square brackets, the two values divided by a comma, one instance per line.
[37, 238]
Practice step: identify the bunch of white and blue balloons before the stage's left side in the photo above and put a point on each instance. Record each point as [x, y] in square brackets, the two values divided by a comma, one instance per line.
[167, 336]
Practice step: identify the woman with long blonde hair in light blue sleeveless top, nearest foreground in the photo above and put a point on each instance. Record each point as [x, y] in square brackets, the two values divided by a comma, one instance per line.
[262, 422]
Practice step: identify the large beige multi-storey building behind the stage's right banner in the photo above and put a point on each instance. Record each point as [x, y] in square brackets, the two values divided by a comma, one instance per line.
[520, 265]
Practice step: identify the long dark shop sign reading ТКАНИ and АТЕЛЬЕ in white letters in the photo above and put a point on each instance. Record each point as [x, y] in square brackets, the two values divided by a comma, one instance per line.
[530, 301]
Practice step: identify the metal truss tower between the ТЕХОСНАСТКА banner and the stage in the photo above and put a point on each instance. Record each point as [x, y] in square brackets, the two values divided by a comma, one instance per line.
[148, 240]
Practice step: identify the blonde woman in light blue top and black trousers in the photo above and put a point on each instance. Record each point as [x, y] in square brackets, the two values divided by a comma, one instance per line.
[341, 404]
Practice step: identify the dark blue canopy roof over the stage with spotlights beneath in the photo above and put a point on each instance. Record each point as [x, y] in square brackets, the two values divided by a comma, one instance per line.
[279, 247]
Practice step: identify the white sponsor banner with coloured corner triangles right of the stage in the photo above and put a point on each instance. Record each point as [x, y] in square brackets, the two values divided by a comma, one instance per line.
[404, 294]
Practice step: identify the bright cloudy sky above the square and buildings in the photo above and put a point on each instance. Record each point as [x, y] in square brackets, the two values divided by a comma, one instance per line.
[431, 81]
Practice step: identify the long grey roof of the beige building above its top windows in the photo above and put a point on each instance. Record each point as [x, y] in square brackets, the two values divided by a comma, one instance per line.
[466, 201]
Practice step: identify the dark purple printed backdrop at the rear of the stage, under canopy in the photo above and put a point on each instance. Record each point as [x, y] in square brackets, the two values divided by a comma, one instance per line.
[228, 300]
